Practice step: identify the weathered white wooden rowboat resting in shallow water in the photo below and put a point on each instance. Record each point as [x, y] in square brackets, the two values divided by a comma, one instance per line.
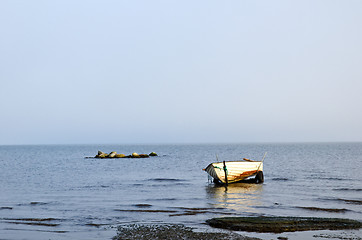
[235, 171]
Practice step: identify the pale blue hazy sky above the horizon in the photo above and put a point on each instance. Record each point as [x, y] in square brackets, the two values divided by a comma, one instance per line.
[161, 71]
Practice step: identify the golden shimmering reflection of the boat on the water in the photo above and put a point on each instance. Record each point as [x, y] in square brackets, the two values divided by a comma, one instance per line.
[237, 197]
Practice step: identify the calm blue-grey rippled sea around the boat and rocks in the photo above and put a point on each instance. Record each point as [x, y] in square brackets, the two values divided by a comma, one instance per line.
[62, 192]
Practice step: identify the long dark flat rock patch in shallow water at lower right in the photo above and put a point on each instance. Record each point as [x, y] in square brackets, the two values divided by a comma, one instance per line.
[283, 224]
